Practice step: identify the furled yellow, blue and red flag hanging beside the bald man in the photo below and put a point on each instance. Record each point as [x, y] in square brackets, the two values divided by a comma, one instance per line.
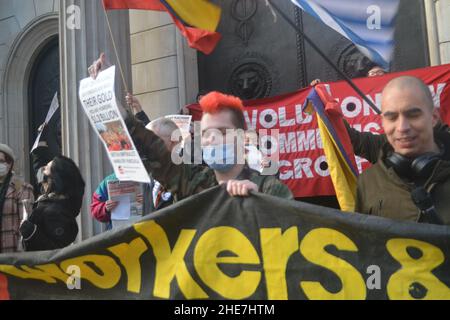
[337, 146]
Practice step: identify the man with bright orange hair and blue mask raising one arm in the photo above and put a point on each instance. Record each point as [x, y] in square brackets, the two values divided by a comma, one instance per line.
[222, 118]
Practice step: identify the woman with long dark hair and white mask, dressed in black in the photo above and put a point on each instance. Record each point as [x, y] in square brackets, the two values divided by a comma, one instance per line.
[52, 223]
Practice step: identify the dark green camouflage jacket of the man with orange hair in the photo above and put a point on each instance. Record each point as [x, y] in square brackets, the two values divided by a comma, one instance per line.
[184, 180]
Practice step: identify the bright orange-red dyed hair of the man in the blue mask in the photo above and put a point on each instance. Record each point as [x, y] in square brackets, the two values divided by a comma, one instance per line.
[215, 102]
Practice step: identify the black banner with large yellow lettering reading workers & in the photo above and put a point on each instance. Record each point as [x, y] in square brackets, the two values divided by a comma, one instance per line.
[213, 246]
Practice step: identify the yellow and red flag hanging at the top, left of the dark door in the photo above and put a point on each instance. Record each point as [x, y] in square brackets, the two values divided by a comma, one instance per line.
[197, 20]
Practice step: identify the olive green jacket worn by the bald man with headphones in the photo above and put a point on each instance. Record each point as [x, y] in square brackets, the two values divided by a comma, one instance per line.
[383, 193]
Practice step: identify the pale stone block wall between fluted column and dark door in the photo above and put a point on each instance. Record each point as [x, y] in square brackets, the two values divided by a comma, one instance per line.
[164, 68]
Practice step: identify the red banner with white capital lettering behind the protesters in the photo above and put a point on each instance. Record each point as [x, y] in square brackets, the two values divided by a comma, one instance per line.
[302, 162]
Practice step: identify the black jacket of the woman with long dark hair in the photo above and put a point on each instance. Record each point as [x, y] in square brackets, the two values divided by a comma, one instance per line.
[51, 225]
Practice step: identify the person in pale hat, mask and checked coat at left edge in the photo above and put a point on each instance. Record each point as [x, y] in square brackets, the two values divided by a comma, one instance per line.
[13, 193]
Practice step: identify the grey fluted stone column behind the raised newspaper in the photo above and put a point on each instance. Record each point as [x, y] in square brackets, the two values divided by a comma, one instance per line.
[79, 47]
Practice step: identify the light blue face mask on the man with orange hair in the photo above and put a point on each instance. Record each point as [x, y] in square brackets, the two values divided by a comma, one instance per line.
[220, 157]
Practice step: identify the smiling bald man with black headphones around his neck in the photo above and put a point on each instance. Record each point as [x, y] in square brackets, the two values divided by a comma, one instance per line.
[411, 180]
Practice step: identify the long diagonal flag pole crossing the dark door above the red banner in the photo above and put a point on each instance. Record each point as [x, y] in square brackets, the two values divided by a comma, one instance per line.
[317, 49]
